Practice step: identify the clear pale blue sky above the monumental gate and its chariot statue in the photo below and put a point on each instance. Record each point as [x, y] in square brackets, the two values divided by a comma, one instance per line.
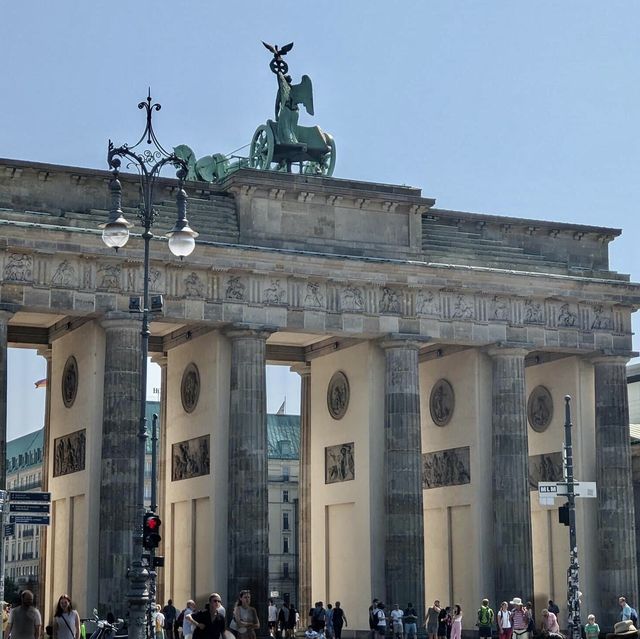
[518, 108]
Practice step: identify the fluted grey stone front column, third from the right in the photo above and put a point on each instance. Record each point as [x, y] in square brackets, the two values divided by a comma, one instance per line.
[404, 512]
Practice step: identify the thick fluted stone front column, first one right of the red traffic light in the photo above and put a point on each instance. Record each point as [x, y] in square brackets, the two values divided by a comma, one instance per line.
[248, 538]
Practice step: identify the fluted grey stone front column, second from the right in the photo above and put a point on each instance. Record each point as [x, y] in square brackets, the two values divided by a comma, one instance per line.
[513, 552]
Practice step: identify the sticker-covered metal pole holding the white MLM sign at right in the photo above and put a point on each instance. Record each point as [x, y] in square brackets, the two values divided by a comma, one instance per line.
[573, 581]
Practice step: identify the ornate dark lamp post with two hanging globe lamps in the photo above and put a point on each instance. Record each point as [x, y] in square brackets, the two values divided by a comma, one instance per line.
[148, 157]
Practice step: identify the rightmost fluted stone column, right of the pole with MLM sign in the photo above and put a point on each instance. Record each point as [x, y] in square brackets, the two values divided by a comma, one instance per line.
[617, 568]
